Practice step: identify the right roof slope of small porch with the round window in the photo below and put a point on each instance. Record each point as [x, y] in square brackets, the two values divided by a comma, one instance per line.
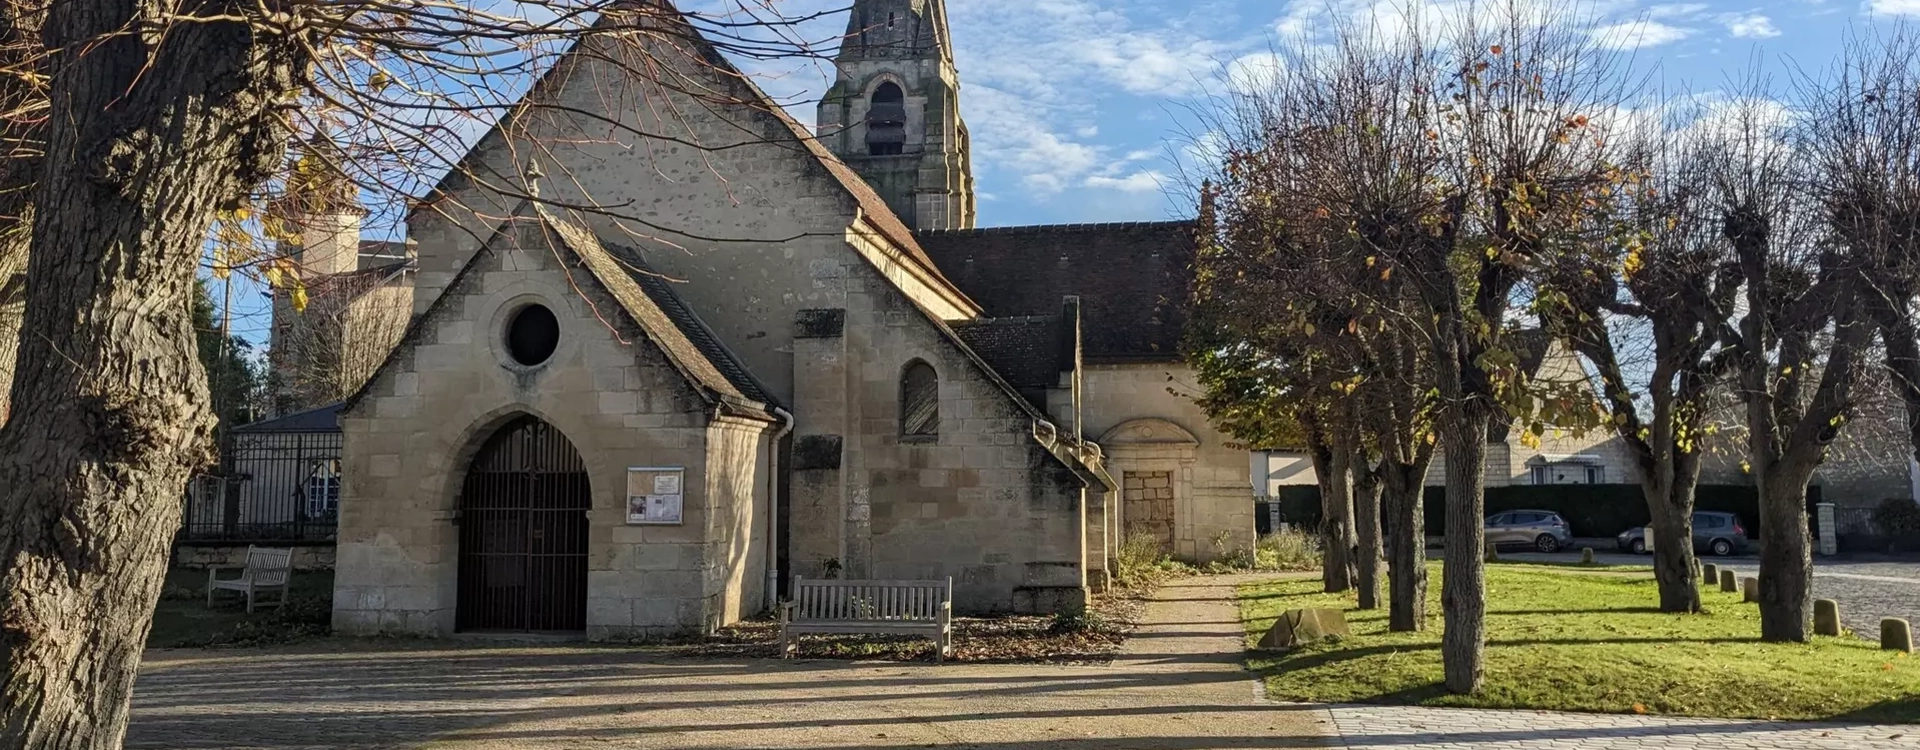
[669, 323]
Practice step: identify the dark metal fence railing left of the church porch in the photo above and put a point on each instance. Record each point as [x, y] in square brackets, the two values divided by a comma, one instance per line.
[279, 486]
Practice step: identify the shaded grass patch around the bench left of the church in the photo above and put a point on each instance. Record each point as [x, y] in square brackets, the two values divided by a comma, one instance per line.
[185, 621]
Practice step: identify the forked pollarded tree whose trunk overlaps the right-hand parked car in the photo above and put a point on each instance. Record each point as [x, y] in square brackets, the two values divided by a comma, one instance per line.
[1666, 285]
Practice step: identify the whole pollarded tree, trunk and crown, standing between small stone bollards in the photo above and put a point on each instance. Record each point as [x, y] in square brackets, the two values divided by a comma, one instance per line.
[1802, 337]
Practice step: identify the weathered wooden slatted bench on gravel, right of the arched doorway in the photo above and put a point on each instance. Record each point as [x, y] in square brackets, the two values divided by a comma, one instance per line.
[869, 607]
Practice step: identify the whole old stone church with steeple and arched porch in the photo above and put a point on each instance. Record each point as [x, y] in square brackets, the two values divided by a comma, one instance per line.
[790, 354]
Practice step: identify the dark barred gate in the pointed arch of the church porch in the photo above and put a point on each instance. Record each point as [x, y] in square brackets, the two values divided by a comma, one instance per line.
[525, 534]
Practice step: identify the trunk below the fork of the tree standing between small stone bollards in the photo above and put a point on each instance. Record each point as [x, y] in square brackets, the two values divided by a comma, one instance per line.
[1787, 555]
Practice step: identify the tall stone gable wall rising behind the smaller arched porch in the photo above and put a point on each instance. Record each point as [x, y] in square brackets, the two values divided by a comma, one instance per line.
[732, 200]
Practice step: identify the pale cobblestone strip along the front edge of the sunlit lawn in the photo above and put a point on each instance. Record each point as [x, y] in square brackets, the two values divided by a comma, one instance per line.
[1404, 728]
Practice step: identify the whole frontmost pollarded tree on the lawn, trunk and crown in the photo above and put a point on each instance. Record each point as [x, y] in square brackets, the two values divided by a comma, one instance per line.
[1527, 162]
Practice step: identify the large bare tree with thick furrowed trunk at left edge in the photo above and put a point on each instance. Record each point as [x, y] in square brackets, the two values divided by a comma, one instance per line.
[160, 120]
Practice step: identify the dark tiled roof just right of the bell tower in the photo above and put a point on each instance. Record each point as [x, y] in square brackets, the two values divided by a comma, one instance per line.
[1134, 279]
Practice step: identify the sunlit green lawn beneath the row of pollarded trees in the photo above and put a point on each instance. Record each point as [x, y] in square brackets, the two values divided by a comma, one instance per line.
[1575, 640]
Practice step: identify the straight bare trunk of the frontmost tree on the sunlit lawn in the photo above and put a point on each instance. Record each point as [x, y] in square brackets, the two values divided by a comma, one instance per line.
[1464, 574]
